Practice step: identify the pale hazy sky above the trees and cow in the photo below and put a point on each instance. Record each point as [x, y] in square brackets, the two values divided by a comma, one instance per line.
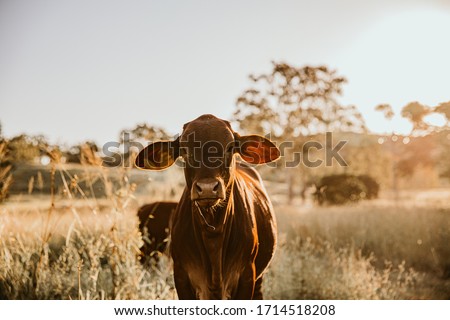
[85, 69]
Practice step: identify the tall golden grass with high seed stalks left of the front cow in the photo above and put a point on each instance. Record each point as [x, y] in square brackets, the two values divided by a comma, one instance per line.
[64, 252]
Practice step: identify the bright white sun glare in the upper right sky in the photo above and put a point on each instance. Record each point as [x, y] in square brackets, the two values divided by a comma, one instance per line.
[400, 59]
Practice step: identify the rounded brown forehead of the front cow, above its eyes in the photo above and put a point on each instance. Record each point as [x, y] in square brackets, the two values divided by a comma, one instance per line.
[207, 128]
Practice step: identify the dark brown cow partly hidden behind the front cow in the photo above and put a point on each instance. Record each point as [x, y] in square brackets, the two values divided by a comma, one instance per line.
[154, 226]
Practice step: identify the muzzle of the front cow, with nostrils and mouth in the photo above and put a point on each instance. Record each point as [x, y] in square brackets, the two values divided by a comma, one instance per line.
[208, 192]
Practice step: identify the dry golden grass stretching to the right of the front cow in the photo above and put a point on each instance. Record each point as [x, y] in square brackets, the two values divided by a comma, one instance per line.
[366, 251]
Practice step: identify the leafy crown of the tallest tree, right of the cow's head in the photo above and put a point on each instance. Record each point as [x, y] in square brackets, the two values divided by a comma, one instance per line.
[292, 102]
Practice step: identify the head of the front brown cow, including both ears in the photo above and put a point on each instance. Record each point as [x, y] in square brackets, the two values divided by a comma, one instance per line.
[207, 147]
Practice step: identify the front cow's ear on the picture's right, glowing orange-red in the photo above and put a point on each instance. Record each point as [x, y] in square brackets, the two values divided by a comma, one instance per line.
[255, 149]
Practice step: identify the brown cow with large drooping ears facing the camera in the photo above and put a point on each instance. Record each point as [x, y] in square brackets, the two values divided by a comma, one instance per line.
[223, 231]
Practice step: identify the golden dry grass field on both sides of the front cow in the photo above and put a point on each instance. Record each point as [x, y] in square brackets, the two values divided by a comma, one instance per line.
[75, 248]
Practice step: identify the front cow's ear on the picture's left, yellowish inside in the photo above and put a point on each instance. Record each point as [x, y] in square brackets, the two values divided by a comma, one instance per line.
[158, 156]
